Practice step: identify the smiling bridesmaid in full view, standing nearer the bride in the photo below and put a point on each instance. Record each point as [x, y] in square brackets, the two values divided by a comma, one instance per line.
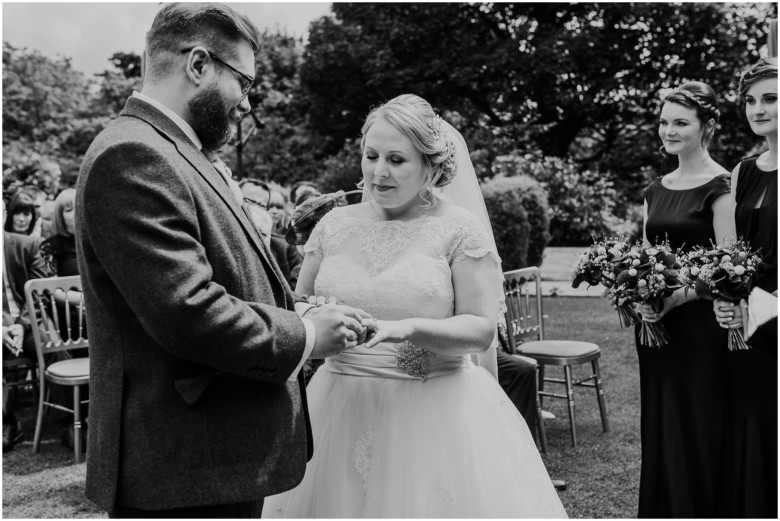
[681, 383]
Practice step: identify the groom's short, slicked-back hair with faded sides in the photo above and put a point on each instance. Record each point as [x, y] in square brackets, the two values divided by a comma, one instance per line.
[183, 25]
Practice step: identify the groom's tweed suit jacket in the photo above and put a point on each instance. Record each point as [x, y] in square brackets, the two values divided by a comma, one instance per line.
[192, 343]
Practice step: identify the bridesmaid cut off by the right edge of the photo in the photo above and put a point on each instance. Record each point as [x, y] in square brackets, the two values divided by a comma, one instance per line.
[750, 488]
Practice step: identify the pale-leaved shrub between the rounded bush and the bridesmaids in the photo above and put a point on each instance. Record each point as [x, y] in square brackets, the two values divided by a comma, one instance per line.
[581, 201]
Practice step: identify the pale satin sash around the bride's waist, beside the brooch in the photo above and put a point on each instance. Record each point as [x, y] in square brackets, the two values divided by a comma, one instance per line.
[384, 364]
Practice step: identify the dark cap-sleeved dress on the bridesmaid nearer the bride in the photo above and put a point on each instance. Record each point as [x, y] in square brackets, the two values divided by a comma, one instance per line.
[682, 383]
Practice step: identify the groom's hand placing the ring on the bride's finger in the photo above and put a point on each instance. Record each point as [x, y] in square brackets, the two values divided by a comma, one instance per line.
[337, 328]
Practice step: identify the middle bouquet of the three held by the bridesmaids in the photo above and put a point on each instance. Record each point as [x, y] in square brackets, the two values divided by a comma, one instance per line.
[647, 275]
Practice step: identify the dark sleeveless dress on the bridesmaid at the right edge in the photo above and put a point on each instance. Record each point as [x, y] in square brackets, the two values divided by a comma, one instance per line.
[751, 424]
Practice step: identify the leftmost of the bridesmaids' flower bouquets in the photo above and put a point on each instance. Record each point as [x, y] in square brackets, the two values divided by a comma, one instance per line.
[600, 264]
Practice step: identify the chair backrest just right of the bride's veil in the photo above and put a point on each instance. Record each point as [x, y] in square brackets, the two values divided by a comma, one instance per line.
[524, 313]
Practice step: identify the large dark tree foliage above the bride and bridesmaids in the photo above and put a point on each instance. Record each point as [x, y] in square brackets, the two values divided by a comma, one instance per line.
[578, 80]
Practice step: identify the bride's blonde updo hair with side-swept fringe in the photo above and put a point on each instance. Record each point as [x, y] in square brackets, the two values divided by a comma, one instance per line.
[414, 117]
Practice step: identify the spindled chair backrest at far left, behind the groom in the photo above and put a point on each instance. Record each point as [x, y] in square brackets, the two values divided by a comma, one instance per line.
[43, 297]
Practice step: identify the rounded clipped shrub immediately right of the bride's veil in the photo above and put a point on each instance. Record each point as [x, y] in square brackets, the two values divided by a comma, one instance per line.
[518, 212]
